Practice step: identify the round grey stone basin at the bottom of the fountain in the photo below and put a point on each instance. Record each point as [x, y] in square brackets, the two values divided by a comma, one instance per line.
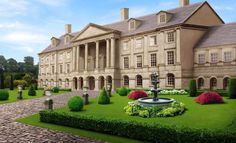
[149, 102]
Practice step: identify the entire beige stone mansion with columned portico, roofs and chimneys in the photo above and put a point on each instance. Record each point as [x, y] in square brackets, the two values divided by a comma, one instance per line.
[188, 42]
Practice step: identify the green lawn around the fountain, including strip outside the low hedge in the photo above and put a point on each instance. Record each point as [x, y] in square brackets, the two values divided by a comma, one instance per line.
[213, 117]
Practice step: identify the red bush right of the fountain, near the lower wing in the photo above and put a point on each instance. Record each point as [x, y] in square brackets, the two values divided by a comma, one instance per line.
[209, 98]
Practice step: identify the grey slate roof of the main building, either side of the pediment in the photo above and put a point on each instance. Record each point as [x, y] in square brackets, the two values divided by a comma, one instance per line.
[149, 22]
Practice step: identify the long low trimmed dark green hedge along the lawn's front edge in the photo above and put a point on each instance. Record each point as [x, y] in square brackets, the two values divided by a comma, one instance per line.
[155, 133]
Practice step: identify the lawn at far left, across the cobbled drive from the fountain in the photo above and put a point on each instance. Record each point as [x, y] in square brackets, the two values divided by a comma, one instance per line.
[14, 93]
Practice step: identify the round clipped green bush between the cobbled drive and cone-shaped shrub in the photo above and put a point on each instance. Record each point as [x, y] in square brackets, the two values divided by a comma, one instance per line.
[76, 103]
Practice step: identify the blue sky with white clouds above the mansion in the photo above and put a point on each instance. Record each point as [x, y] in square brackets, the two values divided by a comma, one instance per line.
[26, 26]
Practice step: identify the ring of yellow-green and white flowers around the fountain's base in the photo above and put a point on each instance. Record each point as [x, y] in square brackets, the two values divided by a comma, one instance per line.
[136, 109]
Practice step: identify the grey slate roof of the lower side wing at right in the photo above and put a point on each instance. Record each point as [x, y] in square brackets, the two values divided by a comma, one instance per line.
[224, 34]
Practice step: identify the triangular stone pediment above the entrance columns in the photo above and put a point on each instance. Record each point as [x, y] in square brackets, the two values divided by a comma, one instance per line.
[92, 30]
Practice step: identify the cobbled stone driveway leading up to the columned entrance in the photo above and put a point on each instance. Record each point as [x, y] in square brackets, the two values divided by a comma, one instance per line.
[12, 132]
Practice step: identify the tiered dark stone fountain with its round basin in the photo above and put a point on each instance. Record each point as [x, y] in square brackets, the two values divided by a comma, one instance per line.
[155, 101]
